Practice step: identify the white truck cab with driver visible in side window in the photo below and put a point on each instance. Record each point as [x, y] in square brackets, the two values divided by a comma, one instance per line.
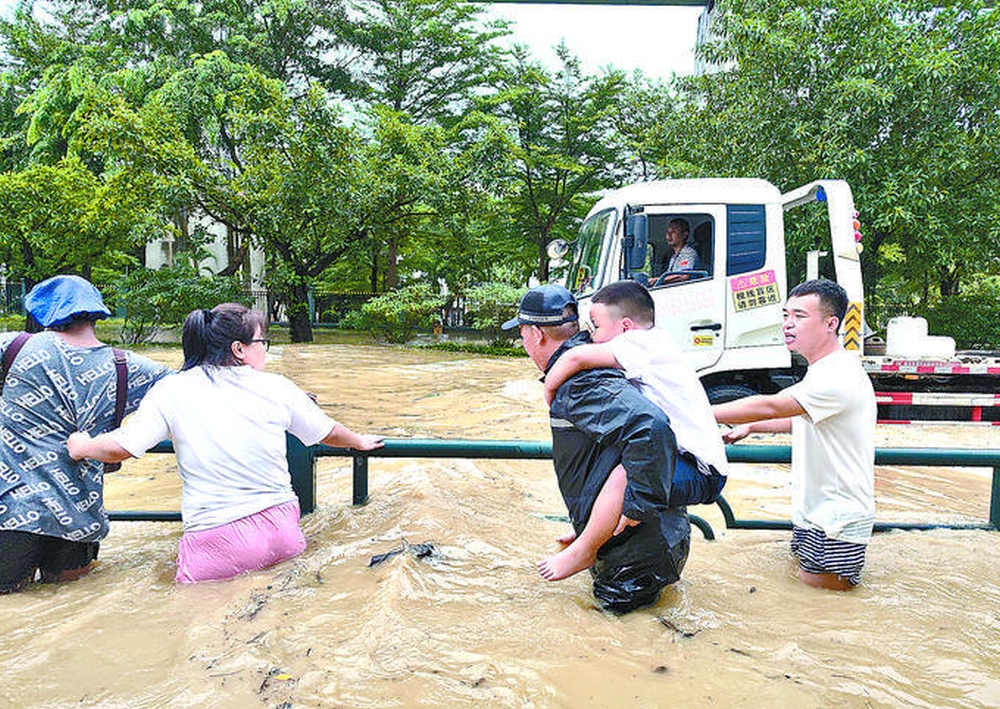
[722, 302]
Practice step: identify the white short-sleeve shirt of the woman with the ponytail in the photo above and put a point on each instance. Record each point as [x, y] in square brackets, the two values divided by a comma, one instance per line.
[227, 425]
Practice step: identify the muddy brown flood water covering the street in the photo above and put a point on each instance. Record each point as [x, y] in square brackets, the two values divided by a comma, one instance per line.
[473, 624]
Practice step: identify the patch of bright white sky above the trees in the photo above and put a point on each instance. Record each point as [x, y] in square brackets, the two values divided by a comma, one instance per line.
[658, 40]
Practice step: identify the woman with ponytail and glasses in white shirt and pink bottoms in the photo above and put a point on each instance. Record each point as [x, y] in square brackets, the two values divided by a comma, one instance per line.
[227, 420]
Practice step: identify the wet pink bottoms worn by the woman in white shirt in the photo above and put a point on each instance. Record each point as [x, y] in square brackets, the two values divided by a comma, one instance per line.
[248, 544]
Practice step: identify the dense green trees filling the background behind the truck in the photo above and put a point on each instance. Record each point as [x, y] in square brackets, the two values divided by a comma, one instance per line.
[374, 144]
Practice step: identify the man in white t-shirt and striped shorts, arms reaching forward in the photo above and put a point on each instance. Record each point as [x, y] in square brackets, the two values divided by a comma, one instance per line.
[831, 414]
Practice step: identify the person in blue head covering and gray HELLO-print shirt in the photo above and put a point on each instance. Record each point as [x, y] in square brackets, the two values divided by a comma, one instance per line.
[62, 380]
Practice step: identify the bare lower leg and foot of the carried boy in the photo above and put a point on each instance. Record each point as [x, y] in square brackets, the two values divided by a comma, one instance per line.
[604, 517]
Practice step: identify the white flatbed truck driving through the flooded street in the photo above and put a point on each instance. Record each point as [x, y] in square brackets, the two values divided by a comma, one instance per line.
[725, 312]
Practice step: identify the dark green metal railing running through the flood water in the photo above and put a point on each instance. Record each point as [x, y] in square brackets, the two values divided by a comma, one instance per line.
[302, 465]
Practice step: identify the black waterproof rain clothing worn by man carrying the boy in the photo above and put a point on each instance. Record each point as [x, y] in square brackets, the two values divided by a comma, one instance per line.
[599, 419]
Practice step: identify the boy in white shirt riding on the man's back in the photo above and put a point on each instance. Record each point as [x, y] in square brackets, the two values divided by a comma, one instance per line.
[624, 338]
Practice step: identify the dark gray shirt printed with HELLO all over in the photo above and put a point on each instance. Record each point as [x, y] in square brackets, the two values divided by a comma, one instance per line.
[52, 390]
